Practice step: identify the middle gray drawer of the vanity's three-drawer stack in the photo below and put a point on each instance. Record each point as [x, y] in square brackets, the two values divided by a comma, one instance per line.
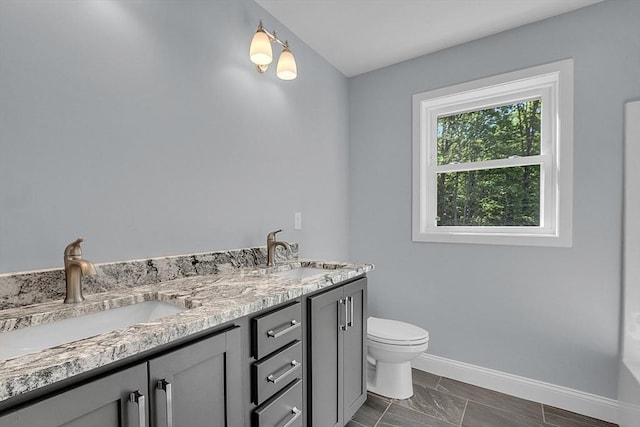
[273, 373]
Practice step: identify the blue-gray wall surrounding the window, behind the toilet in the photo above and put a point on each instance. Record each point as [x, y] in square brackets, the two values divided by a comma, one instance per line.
[550, 314]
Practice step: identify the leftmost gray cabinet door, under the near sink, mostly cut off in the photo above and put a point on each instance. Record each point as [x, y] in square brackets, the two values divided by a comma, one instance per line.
[101, 403]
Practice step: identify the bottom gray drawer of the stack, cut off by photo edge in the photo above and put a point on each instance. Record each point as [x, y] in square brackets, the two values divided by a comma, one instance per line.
[283, 410]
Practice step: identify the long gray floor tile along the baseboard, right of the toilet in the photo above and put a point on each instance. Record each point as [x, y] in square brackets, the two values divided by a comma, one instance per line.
[515, 405]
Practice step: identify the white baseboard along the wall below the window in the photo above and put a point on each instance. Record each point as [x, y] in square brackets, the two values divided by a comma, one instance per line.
[561, 397]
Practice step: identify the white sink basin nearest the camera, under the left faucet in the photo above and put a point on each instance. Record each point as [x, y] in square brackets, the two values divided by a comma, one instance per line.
[36, 338]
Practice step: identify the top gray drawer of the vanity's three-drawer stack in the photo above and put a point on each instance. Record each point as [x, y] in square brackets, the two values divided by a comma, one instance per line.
[273, 330]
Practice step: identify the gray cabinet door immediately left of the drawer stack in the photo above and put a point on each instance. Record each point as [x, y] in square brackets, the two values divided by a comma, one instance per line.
[198, 385]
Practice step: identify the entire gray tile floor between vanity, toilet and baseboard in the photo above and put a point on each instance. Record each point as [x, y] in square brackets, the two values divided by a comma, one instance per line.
[442, 402]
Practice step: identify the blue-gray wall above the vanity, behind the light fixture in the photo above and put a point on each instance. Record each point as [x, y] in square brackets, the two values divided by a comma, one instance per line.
[142, 126]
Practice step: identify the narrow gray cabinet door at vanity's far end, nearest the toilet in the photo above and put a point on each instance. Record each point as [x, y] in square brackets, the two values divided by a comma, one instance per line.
[354, 349]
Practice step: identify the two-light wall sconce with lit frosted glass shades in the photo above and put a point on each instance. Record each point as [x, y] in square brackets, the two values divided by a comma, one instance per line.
[261, 54]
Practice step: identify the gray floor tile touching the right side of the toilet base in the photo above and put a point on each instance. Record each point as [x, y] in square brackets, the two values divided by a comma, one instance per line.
[437, 404]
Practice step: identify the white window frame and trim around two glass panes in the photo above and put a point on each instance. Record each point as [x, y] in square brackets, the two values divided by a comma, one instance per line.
[553, 84]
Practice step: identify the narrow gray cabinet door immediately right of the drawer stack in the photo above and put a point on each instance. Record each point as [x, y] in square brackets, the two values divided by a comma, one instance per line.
[326, 315]
